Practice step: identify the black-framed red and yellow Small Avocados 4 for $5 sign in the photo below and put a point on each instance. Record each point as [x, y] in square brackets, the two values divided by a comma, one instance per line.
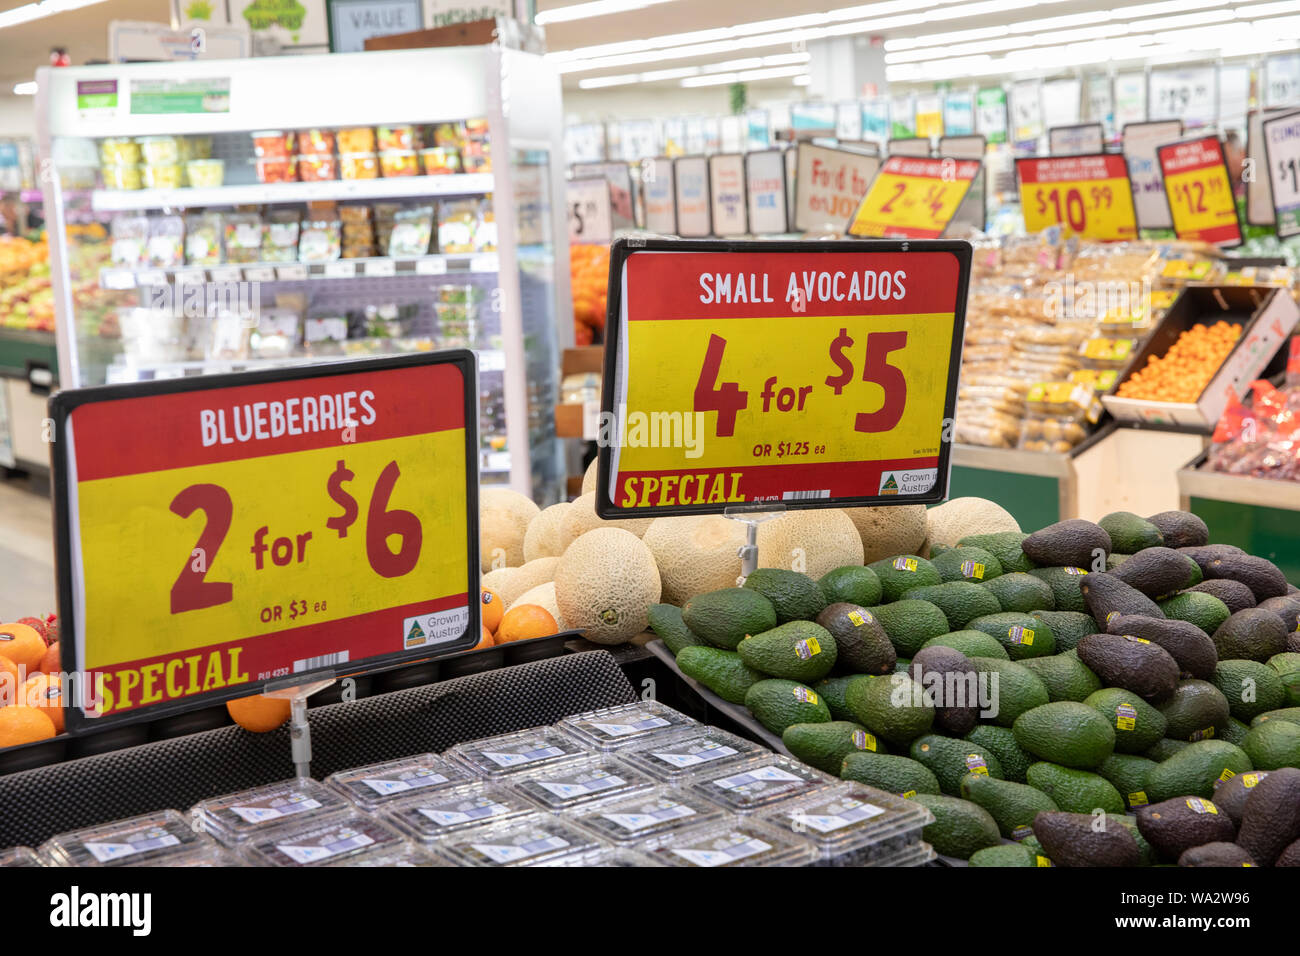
[812, 375]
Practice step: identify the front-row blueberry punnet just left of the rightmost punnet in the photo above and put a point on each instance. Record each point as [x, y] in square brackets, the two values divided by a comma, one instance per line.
[734, 842]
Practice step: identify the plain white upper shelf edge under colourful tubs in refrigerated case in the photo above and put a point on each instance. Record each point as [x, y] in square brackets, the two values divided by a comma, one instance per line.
[263, 193]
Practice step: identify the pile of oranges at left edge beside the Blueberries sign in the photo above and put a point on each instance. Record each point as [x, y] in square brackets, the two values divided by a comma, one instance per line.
[31, 685]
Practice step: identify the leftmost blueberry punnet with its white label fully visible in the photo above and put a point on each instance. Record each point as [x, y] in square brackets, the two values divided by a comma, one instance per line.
[151, 840]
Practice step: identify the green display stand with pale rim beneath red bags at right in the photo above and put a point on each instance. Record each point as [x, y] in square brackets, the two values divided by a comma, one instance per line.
[1259, 516]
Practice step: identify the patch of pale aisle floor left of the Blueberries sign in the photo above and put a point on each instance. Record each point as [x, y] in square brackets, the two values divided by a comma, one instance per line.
[27, 553]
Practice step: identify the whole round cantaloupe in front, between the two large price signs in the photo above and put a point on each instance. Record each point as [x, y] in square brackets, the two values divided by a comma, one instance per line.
[605, 583]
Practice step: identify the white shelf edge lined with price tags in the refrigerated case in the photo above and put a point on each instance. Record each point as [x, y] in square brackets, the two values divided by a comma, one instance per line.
[378, 267]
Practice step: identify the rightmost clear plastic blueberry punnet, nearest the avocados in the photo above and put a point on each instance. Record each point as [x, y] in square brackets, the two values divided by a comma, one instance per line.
[850, 819]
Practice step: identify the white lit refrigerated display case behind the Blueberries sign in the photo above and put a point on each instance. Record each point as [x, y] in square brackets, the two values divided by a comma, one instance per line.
[297, 210]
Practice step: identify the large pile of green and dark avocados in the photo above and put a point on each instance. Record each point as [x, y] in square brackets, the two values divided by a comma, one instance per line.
[1113, 694]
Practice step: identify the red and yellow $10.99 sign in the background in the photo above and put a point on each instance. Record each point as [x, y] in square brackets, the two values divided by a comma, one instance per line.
[1086, 196]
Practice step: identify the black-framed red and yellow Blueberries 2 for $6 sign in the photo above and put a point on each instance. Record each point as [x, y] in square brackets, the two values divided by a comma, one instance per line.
[216, 534]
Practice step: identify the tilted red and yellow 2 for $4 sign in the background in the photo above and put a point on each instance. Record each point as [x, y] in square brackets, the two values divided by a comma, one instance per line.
[915, 198]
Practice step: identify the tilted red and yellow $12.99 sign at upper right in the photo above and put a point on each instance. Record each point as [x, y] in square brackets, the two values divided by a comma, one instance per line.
[1199, 192]
